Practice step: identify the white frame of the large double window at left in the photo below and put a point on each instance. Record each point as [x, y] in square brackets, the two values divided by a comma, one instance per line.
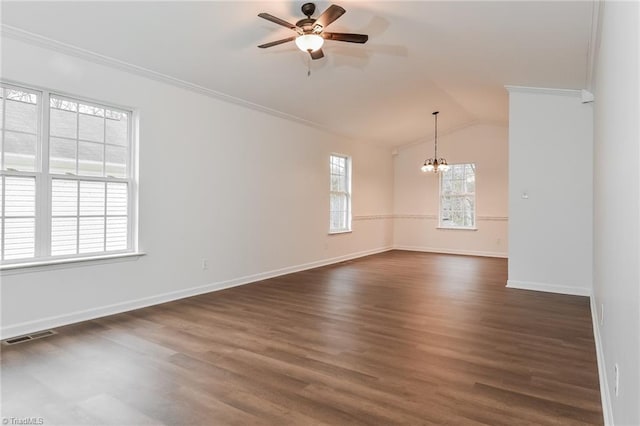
[44, 182]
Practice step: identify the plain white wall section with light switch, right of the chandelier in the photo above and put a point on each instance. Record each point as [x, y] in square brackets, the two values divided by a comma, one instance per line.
[550, 159]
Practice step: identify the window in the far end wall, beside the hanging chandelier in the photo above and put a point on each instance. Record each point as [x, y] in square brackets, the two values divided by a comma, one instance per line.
[458, 197]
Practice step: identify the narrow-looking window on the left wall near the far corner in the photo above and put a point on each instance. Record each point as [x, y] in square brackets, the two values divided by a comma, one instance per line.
[340, 194]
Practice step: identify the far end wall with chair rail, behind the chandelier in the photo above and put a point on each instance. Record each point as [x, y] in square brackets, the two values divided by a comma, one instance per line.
[416, 193]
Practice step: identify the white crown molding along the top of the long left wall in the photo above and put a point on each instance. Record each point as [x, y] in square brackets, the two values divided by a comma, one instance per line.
[78, 52]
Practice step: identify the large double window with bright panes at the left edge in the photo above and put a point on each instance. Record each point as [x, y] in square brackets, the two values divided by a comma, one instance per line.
[67, 177]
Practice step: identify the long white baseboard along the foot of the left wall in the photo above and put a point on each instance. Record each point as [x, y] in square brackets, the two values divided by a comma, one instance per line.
[102, 311]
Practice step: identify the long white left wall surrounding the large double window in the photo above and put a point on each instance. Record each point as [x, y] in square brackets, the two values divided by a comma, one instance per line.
[246, 190]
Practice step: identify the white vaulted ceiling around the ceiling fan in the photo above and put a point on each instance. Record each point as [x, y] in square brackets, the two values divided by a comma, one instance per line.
[451, 56]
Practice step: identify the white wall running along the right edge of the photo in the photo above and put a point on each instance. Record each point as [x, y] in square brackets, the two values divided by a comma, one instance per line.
[616, 210]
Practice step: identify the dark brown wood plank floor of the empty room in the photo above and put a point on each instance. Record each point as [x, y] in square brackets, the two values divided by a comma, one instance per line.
[395, 338]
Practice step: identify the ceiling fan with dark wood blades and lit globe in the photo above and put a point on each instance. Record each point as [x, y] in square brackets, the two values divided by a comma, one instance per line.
[311, 32]
